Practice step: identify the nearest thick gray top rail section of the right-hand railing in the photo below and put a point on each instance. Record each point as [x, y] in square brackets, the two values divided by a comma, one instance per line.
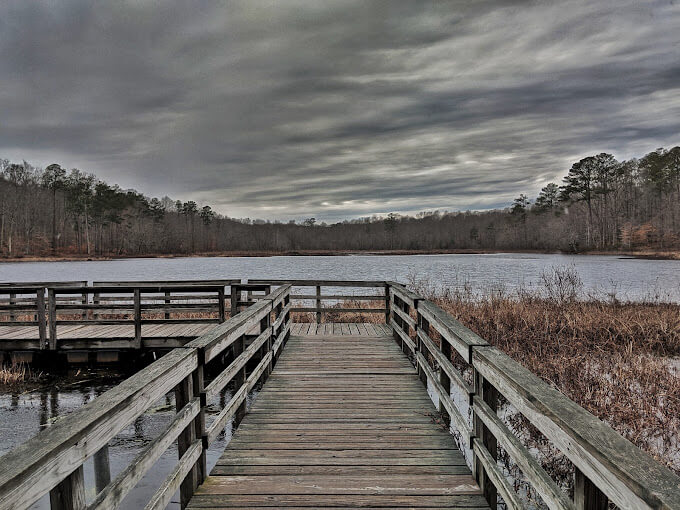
[630, 478]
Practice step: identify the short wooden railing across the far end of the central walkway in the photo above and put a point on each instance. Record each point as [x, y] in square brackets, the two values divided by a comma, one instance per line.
[322, 293]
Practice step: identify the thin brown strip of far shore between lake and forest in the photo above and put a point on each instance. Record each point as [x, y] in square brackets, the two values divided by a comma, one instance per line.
[638, 254]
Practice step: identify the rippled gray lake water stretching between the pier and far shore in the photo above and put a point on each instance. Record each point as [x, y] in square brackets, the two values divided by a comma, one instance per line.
[631, 279]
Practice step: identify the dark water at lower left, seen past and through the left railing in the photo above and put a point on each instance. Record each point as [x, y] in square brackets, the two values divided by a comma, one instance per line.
[24, 414]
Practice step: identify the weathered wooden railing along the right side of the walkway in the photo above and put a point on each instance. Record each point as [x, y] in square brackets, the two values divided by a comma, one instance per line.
[608, 468]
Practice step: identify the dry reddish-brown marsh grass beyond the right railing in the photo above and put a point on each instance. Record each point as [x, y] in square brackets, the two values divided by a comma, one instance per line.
[617, 360]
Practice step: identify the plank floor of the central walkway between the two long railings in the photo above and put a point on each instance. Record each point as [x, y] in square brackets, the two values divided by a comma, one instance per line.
[342, 422]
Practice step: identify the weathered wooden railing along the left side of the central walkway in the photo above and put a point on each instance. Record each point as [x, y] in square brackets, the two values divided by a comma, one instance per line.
[52, 461]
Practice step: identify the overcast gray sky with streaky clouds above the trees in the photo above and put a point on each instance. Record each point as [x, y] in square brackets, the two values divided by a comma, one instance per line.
[336, 109]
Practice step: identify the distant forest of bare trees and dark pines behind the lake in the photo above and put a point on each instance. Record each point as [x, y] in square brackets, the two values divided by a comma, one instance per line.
[601, 204]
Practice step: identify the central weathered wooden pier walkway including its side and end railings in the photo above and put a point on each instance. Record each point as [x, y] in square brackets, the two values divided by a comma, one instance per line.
[408, 413]
